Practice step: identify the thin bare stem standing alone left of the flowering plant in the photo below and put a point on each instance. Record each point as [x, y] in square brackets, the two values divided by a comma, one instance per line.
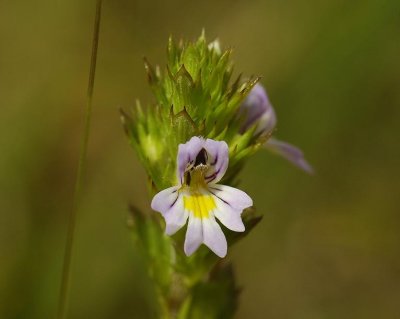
[65, 281]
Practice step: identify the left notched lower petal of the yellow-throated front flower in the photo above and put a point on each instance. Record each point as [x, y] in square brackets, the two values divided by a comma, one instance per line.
[170, 204]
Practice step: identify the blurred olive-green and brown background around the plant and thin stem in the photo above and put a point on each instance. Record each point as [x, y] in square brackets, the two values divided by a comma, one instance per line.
[328, 246]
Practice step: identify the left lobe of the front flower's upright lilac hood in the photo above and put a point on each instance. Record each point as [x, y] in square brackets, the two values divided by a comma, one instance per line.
[187, 153]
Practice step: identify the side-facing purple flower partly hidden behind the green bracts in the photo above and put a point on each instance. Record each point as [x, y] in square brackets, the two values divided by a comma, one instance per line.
[258, 110]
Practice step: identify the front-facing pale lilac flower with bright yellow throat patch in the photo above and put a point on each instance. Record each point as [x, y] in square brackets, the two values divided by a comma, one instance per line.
[201, 163]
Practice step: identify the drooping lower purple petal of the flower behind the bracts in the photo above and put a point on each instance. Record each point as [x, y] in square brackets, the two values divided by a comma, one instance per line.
[290, 152]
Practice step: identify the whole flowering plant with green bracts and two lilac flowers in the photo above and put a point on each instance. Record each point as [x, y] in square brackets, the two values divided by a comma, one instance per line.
[193, 142]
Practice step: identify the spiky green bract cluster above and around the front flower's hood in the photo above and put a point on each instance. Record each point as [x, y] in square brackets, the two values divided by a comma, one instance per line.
[195, 95]
